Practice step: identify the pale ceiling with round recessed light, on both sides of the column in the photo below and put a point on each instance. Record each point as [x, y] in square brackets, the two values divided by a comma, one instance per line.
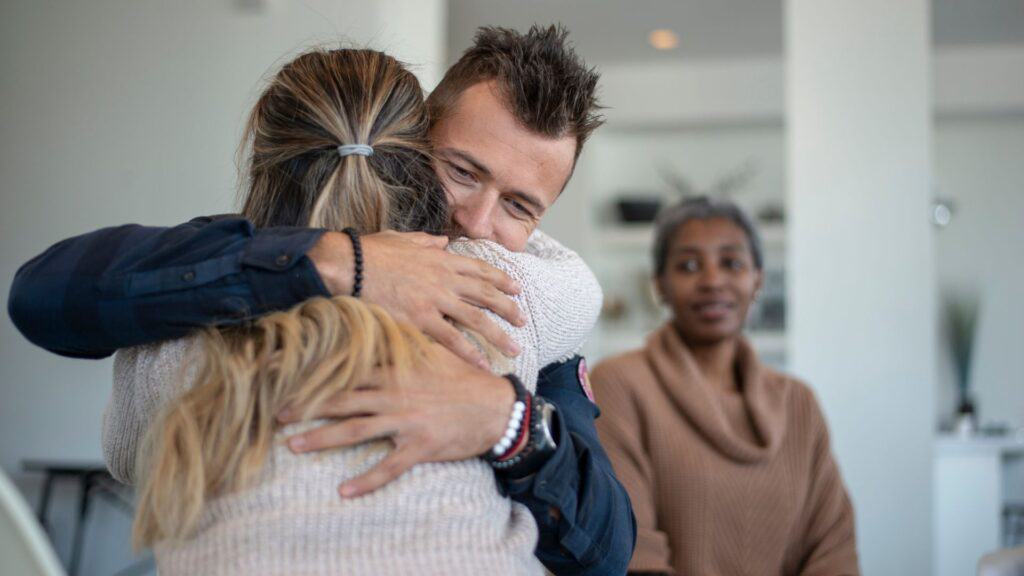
[608, 31]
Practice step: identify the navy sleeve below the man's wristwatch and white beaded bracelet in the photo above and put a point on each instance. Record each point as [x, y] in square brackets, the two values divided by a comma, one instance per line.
[595, 530]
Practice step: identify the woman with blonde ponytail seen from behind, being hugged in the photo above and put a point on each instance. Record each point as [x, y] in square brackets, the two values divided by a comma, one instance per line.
[338, 140]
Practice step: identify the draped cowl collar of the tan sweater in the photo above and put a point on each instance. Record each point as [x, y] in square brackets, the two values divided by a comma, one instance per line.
[763, 391]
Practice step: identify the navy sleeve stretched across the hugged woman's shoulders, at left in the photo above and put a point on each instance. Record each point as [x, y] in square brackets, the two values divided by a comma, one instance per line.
[90, 296]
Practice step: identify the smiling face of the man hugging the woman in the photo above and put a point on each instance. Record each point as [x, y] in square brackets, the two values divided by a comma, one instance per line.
[500, 177]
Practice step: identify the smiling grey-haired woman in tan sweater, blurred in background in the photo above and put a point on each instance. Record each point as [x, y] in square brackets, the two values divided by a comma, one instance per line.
[728, 463]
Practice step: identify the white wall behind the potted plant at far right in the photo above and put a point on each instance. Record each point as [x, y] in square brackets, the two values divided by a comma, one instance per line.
[982, 255]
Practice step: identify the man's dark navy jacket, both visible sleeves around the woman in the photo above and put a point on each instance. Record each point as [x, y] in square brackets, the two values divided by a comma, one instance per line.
[119, 287]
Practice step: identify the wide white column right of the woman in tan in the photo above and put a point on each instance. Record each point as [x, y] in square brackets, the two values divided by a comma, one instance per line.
[862, 269]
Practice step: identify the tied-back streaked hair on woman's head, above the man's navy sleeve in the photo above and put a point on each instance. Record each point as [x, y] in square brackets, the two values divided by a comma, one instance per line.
[326, 99]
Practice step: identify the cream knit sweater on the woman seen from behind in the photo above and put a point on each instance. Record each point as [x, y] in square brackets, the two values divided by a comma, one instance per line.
[437, 519]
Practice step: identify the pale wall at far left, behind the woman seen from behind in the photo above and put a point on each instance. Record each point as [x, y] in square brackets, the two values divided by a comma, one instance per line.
[121, 111]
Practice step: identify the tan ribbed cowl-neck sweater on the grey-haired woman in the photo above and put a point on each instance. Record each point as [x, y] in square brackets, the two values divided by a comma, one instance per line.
[723, 483]
